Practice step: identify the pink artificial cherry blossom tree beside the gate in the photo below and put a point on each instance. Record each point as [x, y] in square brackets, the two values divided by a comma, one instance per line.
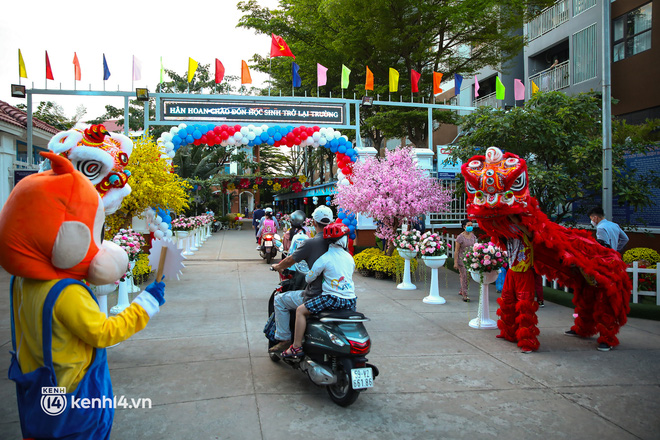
[390, 190]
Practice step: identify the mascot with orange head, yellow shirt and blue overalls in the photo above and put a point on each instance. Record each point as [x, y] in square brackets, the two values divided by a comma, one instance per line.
[51, 238]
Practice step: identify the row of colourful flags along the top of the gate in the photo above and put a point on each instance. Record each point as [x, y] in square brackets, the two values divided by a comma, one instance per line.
[279, 48]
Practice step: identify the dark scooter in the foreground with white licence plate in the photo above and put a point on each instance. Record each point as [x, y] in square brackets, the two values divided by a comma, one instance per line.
[335, 346]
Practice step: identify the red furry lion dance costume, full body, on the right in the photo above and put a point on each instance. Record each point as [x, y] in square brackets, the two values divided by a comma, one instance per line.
[498, 199]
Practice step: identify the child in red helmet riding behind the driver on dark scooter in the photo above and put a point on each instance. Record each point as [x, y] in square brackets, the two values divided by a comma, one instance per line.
[338, 292]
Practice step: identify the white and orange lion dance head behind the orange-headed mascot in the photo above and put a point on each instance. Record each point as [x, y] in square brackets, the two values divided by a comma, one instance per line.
[101, 156]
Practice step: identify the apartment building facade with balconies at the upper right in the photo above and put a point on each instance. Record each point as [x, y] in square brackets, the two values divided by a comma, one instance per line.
[564, 52]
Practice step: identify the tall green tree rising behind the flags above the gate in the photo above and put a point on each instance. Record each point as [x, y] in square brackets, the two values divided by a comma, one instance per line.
[425, 35]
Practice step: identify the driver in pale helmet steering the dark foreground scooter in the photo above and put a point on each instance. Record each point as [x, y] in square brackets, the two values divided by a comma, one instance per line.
[309, 250]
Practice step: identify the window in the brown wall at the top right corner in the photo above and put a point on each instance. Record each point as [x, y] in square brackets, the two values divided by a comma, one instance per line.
[632, 33]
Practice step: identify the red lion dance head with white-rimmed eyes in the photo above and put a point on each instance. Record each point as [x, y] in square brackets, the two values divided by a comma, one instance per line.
[496, 184]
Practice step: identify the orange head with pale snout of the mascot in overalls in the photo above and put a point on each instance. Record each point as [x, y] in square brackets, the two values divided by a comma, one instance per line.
[51, 227]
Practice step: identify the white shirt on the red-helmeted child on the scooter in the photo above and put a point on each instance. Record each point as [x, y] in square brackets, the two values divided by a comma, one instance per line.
[337, 267]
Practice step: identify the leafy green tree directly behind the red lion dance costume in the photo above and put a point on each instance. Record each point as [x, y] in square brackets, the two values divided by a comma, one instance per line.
[560, 138]
